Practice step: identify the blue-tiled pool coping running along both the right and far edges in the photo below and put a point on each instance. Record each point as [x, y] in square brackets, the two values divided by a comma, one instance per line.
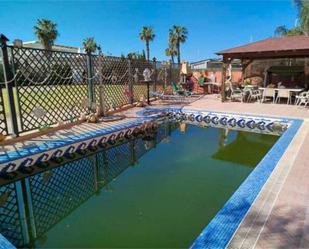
[222, 227]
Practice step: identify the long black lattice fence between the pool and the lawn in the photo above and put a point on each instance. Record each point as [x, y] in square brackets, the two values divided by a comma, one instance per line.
[44, 87]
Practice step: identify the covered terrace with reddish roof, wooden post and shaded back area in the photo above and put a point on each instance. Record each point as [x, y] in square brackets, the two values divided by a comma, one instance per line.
[275, 59]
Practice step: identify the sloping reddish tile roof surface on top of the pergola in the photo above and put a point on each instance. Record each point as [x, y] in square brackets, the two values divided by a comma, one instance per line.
[289, 43]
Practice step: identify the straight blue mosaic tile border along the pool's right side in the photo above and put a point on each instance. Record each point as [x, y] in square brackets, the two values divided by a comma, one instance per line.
[221, 228]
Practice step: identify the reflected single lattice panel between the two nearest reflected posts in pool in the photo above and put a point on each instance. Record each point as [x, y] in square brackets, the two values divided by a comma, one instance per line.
[57, 192]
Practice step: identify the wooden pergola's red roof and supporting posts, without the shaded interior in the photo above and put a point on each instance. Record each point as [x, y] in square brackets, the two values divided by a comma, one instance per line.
[271, 48]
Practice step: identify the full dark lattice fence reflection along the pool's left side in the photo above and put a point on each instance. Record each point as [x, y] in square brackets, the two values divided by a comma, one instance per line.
[55, 193]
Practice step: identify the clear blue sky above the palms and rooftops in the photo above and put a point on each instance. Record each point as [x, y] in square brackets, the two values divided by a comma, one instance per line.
[212, 25]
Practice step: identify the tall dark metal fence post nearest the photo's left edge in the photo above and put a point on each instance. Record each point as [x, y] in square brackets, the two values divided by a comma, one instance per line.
[9, 83]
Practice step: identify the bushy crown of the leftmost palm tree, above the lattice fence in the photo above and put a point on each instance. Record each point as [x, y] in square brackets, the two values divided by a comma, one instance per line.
[46, 32]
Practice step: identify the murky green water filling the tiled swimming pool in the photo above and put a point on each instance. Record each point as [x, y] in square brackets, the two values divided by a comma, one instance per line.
[145, 193]
